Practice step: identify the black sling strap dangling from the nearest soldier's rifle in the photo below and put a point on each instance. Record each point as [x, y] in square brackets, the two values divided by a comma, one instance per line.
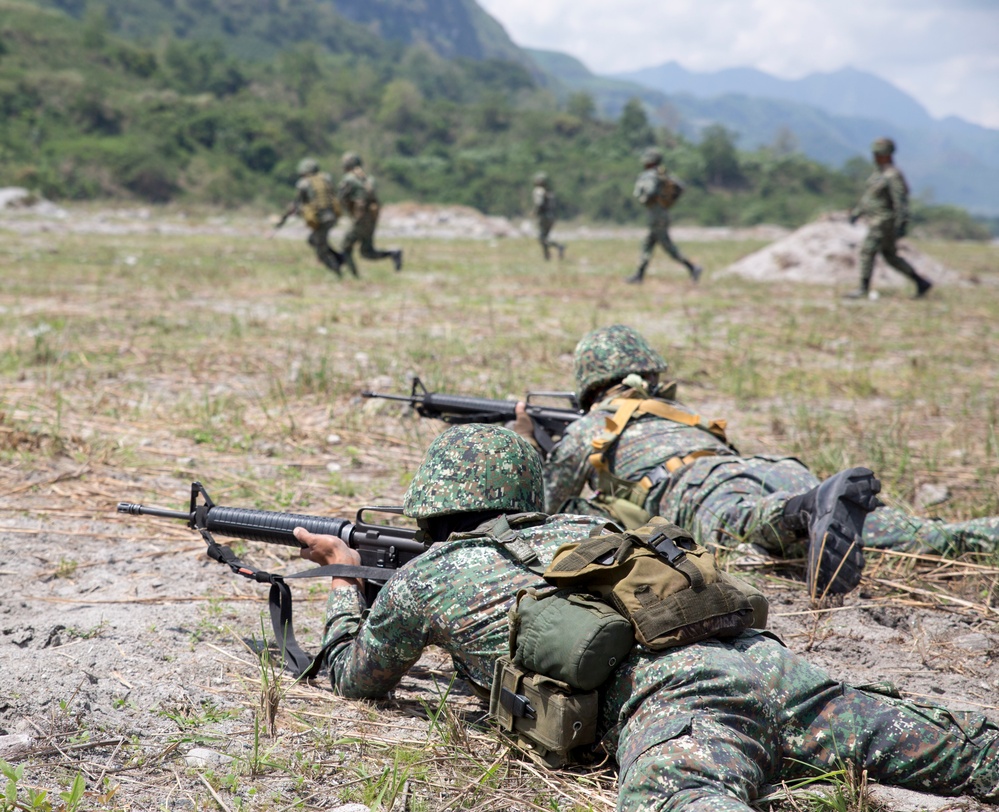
[295, 659]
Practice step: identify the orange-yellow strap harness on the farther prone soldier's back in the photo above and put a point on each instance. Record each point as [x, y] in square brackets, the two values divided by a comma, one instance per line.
[626, 500]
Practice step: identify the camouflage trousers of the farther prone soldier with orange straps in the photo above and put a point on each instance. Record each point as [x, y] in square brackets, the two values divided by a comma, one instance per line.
[730, 500]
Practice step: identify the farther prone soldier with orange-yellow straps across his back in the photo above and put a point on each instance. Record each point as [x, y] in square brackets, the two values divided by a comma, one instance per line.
[665, 461]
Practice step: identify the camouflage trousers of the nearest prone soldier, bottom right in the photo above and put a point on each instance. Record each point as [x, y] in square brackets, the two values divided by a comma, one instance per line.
[703, 726]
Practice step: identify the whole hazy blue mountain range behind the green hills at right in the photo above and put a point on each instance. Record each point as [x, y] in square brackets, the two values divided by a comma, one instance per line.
[833, 117]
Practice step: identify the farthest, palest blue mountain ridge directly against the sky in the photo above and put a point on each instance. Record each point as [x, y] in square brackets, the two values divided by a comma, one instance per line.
[846, 92]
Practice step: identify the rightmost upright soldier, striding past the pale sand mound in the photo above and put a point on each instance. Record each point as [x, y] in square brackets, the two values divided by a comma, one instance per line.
[885, 206]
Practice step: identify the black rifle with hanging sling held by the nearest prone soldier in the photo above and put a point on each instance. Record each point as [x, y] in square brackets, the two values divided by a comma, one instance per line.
[382, 548]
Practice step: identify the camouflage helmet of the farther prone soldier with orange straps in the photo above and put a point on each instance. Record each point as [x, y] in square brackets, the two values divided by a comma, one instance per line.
[607, 355]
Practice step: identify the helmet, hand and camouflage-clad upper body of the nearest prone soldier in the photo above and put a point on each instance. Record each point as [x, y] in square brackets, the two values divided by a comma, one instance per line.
[478, 496]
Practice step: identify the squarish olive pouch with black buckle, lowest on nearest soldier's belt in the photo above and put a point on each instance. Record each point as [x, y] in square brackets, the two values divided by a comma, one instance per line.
[543, 715]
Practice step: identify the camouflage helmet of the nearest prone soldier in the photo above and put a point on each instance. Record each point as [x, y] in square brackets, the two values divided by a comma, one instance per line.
[475, 467]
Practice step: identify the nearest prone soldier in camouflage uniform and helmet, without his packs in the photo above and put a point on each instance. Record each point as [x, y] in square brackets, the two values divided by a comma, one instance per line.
[702, 726]
